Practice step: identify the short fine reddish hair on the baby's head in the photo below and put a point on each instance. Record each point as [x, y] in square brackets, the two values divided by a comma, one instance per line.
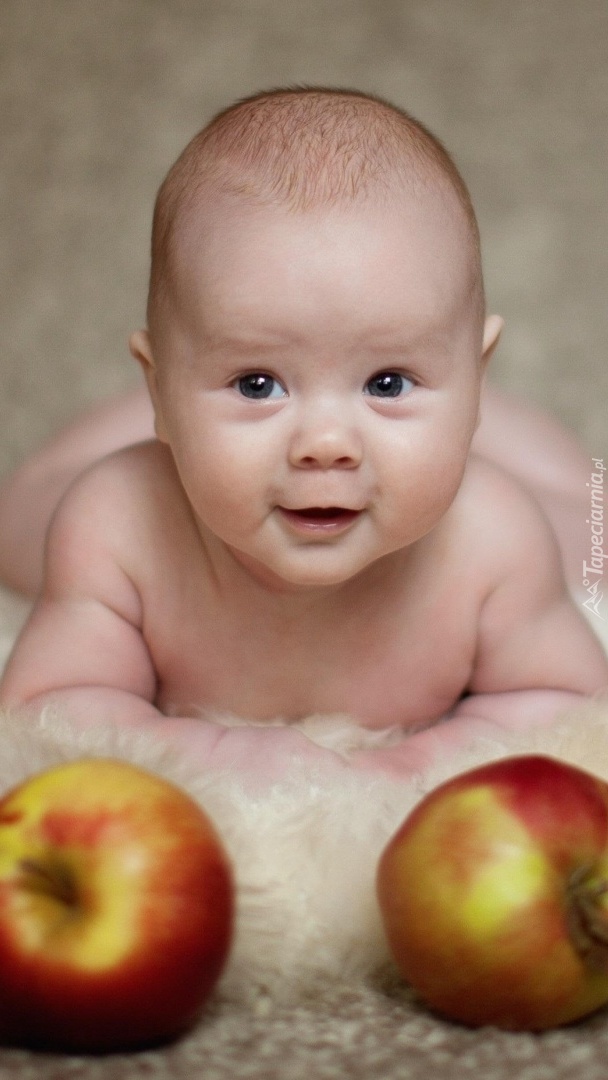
[305, 147]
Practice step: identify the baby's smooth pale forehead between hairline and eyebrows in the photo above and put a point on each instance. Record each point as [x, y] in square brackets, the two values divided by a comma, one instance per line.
[364, 272]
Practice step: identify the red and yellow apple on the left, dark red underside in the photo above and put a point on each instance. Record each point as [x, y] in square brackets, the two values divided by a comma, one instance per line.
[116, 909]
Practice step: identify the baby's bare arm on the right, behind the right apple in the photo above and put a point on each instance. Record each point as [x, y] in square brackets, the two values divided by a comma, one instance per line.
[536, 657]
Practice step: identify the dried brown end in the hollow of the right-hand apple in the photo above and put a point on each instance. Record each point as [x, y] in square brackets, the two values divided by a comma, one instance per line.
[588, 917]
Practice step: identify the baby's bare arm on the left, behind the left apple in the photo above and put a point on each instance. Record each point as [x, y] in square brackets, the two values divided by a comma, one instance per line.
[84, 653]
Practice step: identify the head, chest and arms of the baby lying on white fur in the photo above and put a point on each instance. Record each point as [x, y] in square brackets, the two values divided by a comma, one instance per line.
[308, 533]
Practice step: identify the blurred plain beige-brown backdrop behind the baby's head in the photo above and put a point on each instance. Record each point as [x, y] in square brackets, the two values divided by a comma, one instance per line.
[97, 101]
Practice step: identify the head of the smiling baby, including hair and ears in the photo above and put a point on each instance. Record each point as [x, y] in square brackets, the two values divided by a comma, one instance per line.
[317, 336]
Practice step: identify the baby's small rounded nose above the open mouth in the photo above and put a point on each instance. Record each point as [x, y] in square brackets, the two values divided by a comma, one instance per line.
[327, 441]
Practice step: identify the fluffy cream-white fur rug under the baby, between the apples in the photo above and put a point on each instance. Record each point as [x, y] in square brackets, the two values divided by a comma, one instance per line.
[305, 854]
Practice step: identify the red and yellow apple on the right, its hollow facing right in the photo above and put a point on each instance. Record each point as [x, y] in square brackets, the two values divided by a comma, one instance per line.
[494, 895]
